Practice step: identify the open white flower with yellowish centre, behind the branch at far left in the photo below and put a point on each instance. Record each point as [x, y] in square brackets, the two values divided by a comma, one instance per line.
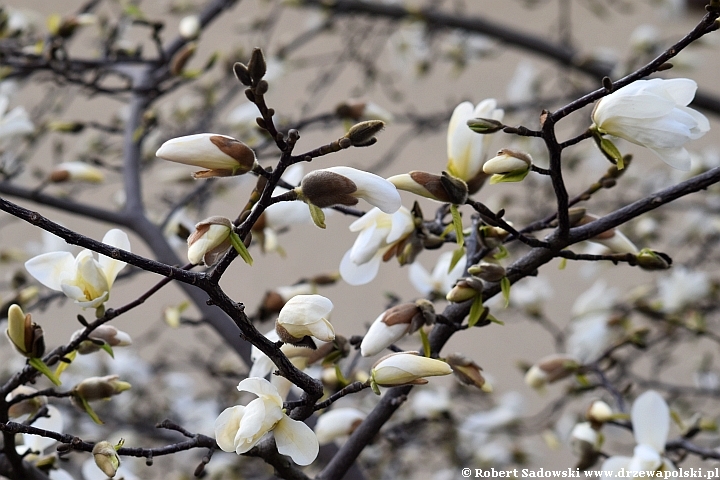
[82, 278]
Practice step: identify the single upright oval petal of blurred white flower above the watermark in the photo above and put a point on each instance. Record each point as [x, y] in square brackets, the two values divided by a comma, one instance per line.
[651, 420]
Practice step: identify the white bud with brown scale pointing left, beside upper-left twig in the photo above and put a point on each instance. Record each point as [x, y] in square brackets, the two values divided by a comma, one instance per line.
[220, 155]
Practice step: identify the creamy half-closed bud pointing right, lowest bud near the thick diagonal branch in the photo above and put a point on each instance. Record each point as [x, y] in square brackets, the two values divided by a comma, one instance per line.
[407, 368]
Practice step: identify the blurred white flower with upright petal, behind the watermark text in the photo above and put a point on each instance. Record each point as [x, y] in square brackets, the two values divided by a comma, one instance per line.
[651, 423]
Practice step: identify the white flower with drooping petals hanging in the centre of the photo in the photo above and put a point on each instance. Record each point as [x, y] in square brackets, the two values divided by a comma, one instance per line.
[379, 233]
